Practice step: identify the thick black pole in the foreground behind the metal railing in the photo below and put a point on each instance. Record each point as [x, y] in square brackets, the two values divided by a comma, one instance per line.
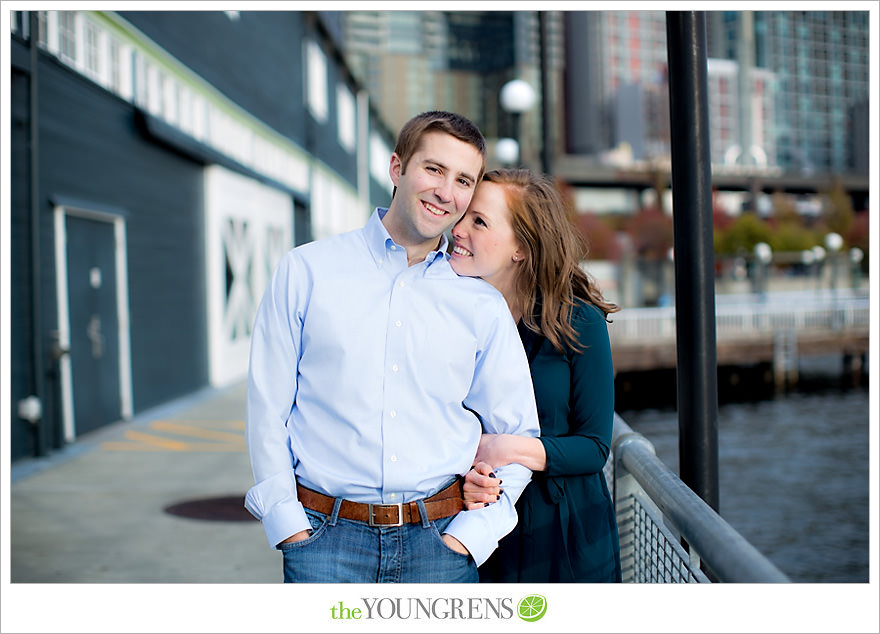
[697, 377]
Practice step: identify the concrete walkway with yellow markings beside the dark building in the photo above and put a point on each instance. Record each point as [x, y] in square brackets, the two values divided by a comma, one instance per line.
[154, 500]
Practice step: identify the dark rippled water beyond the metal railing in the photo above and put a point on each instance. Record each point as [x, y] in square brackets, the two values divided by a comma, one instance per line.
[793, 473]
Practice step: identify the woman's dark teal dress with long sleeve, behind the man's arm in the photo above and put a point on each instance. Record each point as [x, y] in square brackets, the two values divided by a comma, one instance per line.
[567, 531]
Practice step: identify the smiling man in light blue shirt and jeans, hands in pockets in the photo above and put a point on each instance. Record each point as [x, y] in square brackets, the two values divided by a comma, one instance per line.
[374, 370]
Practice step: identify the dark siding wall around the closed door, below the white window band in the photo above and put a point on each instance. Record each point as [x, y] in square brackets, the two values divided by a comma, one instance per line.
[91, 152]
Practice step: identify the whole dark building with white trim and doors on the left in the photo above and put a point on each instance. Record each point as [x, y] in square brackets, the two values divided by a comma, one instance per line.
[193, 170]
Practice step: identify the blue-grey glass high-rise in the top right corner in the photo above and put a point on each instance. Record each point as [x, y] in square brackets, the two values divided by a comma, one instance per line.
[819, 65]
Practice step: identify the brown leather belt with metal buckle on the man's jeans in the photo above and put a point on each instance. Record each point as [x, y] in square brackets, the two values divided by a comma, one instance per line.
[446, 503]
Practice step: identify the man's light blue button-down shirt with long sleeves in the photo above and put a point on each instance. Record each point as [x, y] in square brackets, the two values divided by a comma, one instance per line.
[369, 380]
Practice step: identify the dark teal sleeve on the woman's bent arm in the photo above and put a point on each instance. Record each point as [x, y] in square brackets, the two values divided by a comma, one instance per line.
[584, 450]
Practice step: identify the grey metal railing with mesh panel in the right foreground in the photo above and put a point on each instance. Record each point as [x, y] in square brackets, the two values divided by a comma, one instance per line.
[657, 515]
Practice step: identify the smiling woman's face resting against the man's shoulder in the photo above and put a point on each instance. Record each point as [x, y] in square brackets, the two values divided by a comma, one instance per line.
[485, 245]
